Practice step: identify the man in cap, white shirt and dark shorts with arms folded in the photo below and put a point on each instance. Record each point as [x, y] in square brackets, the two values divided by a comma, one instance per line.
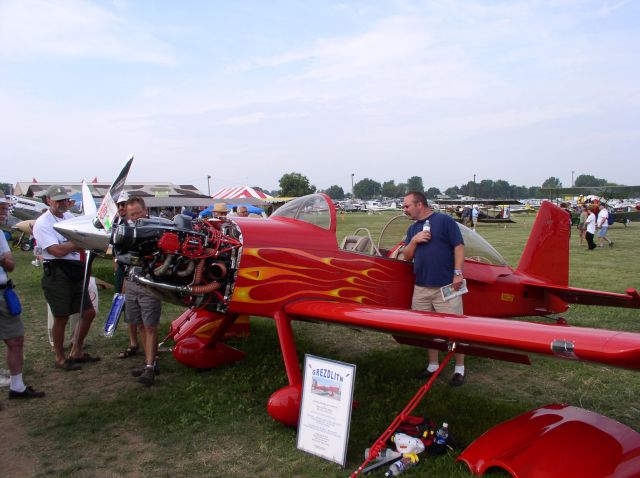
[63, 279]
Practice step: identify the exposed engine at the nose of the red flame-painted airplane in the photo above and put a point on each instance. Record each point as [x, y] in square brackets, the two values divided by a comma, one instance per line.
[188, 262]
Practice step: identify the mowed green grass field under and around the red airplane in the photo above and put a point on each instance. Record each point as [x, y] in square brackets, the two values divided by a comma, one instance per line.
[99, 422]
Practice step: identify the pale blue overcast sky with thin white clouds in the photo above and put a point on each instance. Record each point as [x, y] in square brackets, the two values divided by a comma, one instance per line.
[247, 91]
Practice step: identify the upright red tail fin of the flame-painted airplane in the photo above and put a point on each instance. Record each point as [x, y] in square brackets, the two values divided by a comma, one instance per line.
[546, 255]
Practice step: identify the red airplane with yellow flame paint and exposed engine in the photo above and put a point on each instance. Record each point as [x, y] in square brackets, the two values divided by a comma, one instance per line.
[290, 267]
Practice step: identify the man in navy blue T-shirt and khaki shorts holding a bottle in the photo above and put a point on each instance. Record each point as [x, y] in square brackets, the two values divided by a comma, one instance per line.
[437, 251]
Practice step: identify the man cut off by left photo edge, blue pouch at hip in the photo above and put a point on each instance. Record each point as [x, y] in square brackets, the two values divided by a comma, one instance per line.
[11, 326]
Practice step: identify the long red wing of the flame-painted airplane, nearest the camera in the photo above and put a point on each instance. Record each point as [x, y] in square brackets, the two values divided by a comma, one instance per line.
[616, 348]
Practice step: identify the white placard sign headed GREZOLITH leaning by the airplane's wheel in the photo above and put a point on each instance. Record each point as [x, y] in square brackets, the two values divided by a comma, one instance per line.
[325, 411]
